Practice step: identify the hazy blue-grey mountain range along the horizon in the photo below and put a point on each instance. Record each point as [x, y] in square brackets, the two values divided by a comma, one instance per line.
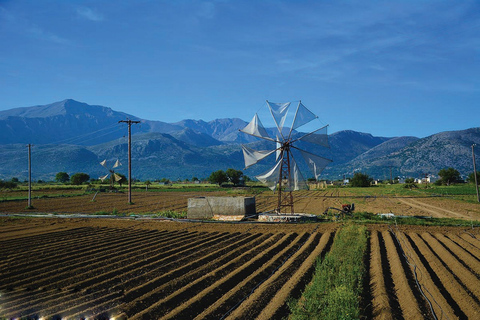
[72, 136]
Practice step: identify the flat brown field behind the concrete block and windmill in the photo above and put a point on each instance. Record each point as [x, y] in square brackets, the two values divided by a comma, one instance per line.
[306, 201]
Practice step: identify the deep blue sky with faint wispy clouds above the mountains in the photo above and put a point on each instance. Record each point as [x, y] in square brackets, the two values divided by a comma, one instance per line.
[389, 68]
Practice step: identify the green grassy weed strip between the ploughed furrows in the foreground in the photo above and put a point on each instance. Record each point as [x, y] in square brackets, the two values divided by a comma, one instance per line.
[336, 287]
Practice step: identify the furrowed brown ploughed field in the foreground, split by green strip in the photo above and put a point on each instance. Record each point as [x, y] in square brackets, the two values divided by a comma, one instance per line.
[144, 269]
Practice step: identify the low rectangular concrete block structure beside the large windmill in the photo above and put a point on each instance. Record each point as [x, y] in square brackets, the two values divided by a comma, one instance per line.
[221, 208]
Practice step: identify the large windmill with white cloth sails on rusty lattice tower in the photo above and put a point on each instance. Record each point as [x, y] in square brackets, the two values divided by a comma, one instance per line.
[285, 175]
